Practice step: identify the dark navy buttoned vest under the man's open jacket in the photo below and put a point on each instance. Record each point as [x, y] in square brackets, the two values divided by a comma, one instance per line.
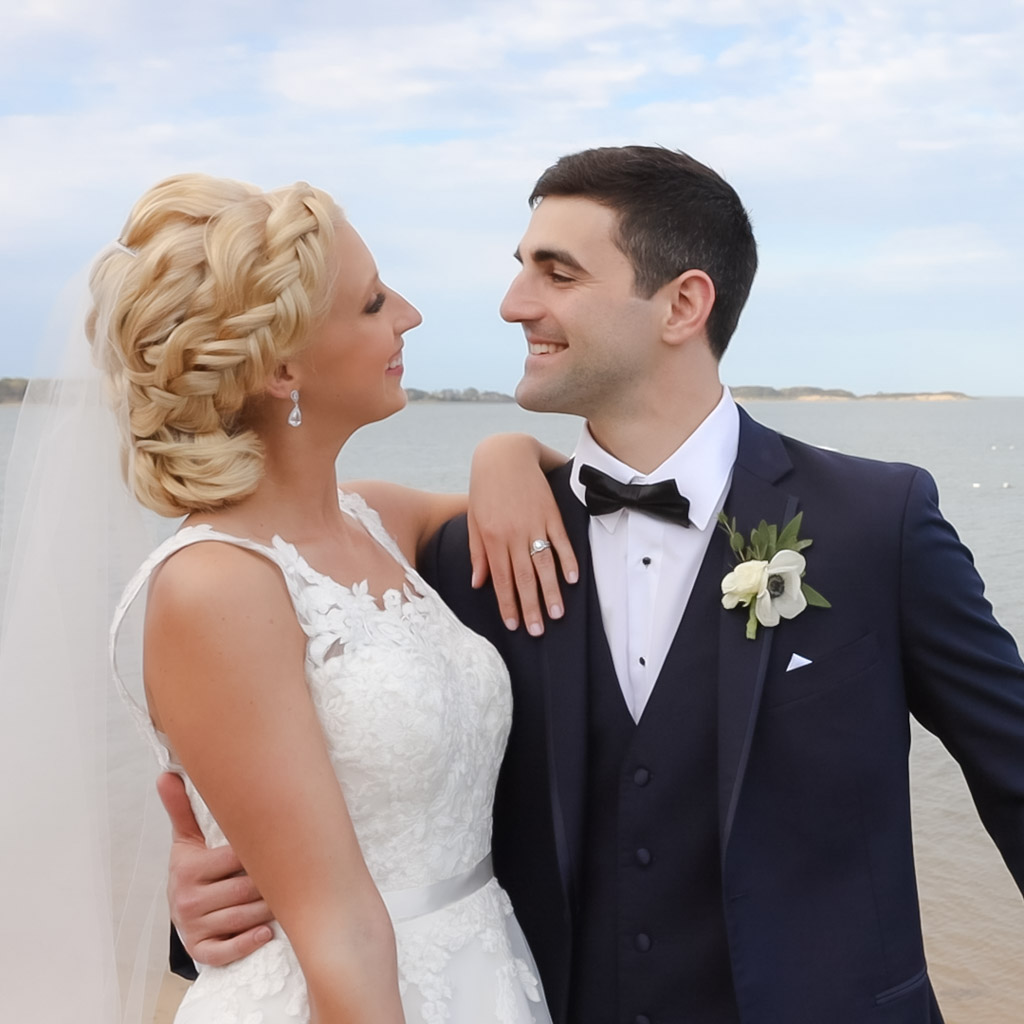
[651, 945]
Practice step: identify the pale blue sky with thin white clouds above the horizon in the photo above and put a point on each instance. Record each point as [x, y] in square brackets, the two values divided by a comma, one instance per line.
[878, 146]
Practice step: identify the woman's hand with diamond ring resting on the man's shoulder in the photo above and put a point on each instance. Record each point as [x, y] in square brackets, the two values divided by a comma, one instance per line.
[510, 507]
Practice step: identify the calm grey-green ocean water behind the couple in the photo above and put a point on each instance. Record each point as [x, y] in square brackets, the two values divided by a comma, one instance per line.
[973, 914]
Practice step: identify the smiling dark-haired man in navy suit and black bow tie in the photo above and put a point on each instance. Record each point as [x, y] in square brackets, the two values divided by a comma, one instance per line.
[697, 826]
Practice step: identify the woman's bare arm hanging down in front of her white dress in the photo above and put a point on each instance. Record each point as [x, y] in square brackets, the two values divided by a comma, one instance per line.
[225, 680]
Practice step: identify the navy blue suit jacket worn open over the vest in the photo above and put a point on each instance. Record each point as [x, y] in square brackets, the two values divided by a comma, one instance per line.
[813, 785]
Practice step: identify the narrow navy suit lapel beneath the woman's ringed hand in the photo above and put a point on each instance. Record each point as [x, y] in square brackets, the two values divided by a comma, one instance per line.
[565, 660]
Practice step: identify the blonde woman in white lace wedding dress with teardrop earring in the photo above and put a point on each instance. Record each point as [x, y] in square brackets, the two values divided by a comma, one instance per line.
[331, 717]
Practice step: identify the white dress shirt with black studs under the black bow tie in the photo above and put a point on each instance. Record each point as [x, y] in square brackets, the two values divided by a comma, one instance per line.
[645, 568]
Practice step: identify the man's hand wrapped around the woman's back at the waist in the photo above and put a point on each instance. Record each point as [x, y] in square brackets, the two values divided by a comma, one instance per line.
[218, 911]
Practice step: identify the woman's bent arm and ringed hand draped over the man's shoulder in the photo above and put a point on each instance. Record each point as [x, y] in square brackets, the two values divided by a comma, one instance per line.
[509, 506]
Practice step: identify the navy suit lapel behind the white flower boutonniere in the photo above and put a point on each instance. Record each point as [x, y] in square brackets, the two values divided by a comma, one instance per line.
[755, 495]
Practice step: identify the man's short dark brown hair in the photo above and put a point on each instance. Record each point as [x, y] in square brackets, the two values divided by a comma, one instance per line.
[675, 215]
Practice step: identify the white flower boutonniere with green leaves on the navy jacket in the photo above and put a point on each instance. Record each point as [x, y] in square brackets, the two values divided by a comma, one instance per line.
[769, 577]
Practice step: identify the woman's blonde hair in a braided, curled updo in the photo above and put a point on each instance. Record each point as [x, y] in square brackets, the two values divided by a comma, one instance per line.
[214, 283]
